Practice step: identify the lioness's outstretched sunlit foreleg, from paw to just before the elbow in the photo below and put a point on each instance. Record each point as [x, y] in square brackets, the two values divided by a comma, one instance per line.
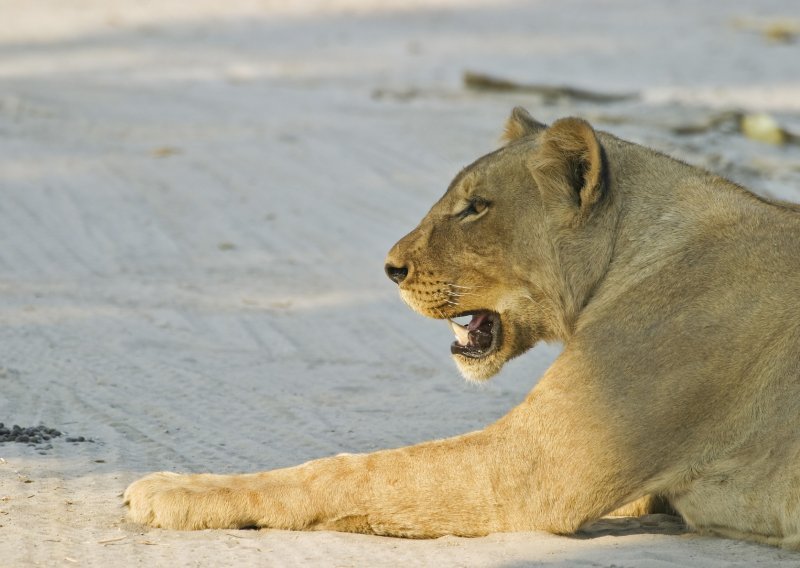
[435, 488]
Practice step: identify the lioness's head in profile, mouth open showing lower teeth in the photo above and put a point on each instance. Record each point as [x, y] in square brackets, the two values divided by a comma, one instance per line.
[517, 243]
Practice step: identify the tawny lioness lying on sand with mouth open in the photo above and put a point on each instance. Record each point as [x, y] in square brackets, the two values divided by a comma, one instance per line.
[675, 293]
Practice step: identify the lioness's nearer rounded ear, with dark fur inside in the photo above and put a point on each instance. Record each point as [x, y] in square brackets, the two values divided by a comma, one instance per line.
[569, 164]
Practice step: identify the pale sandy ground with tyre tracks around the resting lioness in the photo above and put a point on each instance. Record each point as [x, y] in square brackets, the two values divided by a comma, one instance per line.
[196, 201]
